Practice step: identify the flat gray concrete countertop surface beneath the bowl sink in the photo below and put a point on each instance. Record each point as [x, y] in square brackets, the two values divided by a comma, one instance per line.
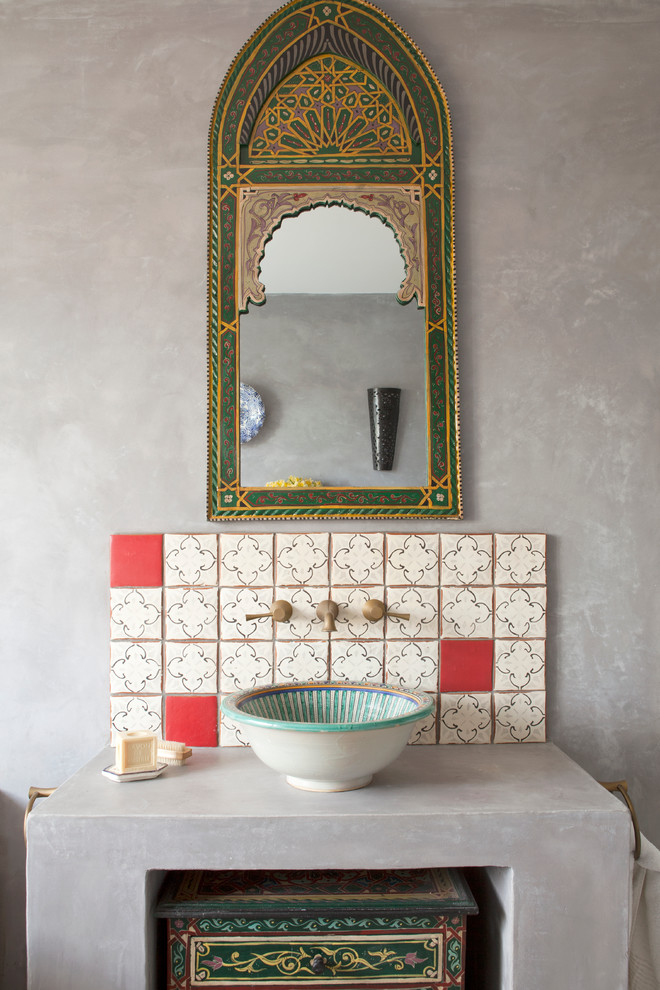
[449, 781]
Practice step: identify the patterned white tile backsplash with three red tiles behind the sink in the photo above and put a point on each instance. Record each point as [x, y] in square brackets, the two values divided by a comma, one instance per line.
[474, 639]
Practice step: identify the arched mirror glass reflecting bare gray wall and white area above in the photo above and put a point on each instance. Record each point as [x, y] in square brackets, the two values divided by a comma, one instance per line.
[330, 329]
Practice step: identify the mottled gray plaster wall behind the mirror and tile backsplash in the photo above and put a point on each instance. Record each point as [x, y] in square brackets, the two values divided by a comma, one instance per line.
[104, 115]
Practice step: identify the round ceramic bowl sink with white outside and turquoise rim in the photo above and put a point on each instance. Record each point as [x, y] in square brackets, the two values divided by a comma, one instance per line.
[326, 736]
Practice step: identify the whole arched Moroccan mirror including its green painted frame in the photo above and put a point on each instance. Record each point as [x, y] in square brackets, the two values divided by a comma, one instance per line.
[330, 114]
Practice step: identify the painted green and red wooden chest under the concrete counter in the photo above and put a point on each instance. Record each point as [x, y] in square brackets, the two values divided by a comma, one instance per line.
[346, 928]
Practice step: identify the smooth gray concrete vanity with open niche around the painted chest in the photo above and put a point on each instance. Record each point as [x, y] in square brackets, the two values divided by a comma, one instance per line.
[556, 845]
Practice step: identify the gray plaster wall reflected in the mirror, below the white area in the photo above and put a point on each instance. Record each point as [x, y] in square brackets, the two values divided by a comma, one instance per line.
[312, 359]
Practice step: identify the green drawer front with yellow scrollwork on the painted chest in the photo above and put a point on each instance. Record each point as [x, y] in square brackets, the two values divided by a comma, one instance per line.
[231, 961]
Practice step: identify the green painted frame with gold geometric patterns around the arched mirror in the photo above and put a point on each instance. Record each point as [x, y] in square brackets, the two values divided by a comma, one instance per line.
[331, 103]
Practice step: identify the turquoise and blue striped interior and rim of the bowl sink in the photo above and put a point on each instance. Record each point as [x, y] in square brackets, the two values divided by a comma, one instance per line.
[327, 706]
